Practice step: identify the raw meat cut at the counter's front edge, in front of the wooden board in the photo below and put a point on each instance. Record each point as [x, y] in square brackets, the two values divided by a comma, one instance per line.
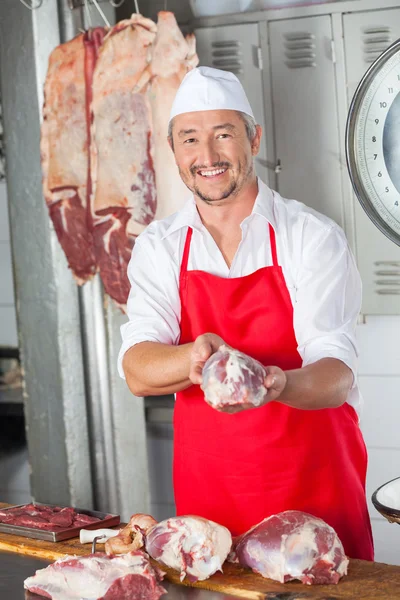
[99, 577]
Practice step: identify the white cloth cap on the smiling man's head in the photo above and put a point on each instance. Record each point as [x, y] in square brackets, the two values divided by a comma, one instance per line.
[204, 88]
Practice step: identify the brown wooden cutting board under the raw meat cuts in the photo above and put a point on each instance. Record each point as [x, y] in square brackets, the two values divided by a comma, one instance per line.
[365, 580]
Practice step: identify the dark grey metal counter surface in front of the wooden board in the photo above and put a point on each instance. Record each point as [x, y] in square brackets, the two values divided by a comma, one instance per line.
[14, 569]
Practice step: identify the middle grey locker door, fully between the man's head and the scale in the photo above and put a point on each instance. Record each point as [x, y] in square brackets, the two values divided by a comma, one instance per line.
[305, 113]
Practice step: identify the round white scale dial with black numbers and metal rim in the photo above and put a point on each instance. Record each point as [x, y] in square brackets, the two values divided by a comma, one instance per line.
[373, 142]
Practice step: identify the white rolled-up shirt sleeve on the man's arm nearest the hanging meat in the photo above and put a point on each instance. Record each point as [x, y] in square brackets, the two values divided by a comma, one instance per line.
[153, 305]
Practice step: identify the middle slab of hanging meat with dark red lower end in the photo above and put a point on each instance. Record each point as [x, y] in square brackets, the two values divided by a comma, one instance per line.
[123, 179]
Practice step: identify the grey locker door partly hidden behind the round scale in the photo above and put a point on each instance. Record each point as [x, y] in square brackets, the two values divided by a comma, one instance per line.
[366, 36]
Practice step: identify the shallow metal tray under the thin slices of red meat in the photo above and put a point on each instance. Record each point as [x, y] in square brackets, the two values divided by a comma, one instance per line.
[107, 520]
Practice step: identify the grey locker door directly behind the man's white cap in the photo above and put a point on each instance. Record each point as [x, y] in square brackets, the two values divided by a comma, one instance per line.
[236, 48]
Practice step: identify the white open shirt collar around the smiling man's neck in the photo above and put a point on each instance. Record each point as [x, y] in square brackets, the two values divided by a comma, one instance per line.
[188, 216]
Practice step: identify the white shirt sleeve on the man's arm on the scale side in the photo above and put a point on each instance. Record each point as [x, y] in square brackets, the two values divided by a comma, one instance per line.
[328, 298]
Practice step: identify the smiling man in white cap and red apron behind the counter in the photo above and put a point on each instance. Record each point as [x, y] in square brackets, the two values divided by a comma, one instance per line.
[240, 265]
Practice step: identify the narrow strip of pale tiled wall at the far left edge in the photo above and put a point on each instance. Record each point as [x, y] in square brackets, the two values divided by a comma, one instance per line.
[8, 324]
